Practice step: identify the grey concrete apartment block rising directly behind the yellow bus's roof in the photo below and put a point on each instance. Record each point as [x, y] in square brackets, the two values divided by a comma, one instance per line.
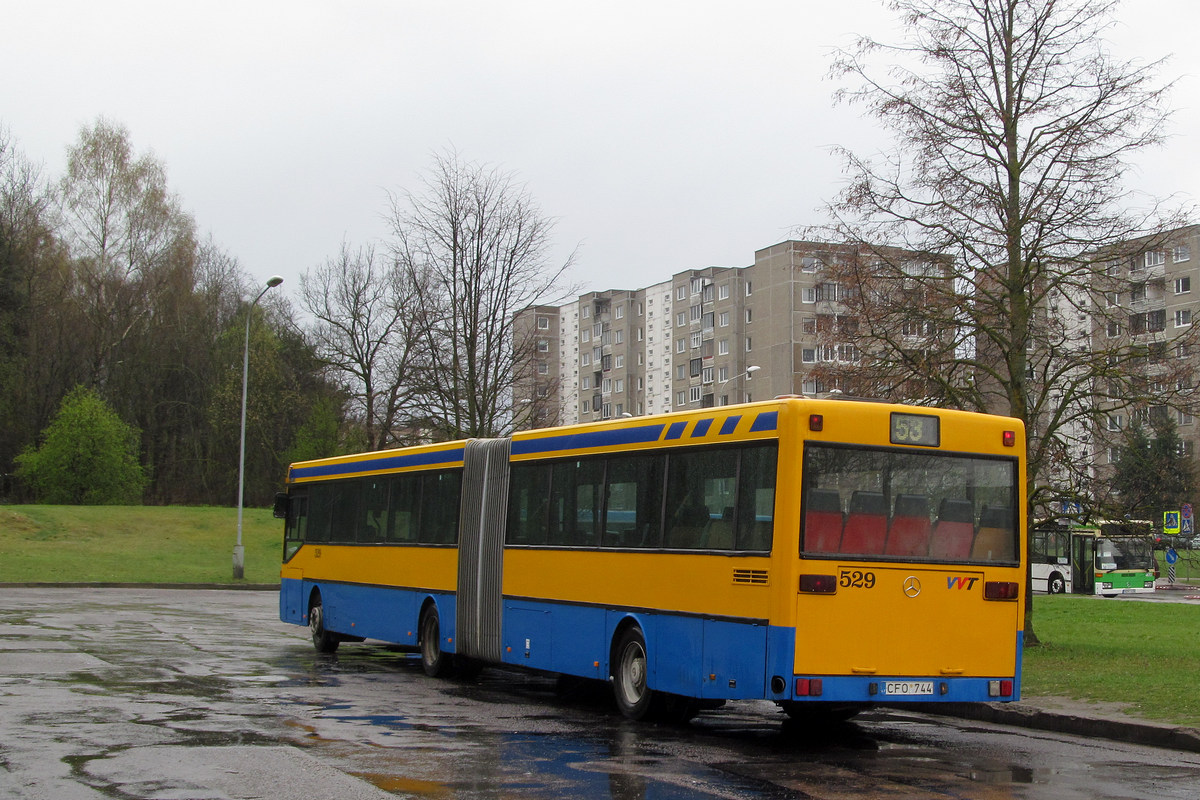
[704, 338]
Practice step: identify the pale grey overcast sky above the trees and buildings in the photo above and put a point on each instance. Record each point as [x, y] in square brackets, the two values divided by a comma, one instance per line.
[662, 136]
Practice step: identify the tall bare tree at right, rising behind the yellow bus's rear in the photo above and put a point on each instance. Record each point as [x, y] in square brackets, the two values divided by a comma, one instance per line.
[1012, 130]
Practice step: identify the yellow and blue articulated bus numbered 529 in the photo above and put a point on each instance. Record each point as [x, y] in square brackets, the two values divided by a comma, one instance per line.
[824, 555]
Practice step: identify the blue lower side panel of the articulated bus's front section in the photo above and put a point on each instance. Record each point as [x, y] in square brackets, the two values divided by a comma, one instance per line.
[385, 613]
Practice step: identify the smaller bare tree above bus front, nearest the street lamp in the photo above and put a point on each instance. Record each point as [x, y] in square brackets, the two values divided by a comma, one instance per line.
[368, 333]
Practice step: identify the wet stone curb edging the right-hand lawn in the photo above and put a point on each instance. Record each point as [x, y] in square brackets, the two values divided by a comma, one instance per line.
[1137, 732]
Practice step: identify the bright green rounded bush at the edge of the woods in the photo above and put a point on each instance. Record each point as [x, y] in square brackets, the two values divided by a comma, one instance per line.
[88, 456]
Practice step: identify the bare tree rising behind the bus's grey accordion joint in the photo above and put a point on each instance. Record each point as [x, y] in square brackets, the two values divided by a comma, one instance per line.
[477, 246]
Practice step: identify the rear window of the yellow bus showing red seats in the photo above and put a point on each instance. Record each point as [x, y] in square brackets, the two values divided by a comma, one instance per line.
[908, 507]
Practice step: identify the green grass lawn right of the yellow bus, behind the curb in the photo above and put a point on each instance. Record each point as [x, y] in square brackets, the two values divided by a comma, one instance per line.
[1147, 654]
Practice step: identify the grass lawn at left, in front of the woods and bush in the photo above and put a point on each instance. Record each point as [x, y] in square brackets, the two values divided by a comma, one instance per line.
[136, 545]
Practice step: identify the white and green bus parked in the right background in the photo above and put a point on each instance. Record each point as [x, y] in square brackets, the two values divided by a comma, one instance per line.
[1106, 560]
